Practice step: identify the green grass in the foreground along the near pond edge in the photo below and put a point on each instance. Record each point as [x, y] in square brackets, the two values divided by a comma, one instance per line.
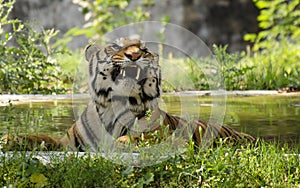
[259, 165]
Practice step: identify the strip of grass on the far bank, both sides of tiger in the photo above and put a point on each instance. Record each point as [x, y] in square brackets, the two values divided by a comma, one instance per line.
[230, 71]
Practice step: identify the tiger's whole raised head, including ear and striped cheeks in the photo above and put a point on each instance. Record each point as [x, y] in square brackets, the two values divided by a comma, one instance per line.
[125, 71]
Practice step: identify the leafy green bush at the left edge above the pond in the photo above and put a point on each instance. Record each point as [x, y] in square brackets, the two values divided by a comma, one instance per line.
[26, 57]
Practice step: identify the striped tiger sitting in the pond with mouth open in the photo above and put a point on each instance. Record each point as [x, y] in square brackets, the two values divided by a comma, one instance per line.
[124, 79]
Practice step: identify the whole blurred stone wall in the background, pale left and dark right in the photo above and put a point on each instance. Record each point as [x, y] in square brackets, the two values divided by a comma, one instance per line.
[214, 21]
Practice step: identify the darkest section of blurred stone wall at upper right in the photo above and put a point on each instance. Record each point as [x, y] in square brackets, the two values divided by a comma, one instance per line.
[221, 21]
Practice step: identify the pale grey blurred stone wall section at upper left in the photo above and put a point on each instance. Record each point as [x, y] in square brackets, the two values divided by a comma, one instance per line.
[59, 14]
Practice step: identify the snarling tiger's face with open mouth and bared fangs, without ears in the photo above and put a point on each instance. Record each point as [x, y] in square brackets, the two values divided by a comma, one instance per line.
[137, 72]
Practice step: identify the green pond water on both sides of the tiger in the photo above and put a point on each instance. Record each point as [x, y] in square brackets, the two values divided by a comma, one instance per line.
[263, 116]
